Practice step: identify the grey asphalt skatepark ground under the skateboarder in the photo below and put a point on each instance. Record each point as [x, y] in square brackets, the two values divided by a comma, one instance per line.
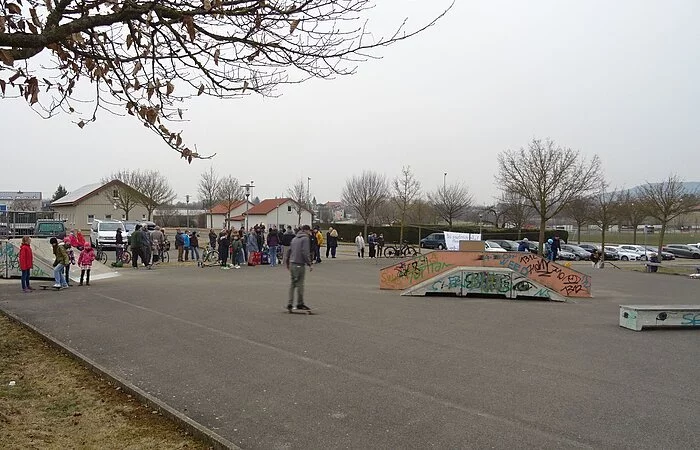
[373, 369]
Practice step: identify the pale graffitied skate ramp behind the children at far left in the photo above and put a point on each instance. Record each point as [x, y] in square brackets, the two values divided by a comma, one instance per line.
[43, 261]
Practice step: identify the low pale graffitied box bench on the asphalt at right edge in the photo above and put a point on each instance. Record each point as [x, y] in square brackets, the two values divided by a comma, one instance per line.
[636, 317]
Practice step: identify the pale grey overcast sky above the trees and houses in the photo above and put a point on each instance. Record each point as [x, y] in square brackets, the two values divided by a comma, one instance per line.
[613, 78]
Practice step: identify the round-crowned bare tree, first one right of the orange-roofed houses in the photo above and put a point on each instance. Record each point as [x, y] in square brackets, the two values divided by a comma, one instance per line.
[365, 194]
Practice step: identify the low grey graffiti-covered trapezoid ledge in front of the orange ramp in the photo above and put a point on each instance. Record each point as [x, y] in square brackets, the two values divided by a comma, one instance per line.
[478, 281]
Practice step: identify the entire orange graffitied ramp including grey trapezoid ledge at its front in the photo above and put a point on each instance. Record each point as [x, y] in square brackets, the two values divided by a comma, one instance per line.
[430, 272]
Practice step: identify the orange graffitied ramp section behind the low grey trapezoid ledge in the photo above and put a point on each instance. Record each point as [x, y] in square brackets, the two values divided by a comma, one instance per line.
[558, 279]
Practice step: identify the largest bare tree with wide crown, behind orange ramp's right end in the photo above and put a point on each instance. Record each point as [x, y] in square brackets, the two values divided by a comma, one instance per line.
[548, 176]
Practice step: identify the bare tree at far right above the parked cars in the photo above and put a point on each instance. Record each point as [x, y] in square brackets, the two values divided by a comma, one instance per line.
[667, 200]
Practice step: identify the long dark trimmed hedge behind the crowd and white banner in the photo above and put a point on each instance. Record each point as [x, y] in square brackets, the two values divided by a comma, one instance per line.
[347, 232]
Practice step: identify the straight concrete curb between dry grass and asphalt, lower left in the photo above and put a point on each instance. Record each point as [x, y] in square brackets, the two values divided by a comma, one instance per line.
[195, 429]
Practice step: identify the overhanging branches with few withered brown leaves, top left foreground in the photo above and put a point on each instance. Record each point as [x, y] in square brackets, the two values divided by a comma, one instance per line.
[146, 58]
